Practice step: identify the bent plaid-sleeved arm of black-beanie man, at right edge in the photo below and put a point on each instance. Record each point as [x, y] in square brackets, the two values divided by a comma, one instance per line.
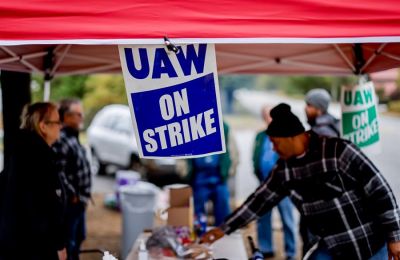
[378, 192]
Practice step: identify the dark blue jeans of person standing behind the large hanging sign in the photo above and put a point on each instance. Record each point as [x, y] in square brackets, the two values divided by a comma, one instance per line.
[218, 194]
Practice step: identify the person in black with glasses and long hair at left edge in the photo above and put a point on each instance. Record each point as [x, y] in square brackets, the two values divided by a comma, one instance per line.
[33, 199]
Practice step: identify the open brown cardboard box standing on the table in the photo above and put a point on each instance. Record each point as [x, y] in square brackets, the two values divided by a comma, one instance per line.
[181, 211]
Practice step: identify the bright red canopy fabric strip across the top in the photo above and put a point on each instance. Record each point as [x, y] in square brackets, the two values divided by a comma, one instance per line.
[143, 19]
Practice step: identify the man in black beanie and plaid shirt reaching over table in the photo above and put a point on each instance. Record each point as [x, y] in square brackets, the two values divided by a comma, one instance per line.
[347, 203]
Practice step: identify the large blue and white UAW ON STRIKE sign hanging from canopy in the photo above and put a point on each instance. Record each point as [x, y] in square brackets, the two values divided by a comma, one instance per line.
[174, 99]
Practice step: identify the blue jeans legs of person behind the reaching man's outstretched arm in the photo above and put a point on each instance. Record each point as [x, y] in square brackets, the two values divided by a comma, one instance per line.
[264, 229]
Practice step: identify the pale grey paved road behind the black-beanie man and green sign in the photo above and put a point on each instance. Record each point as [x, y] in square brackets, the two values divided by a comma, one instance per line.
[388, 161]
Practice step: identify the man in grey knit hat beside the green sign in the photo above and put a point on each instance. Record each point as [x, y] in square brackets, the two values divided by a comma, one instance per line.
[321, 122]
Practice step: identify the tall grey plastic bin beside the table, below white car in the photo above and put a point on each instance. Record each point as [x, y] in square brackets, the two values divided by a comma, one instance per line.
[138, 203]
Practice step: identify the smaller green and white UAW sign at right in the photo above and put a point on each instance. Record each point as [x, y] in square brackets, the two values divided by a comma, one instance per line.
[360, 118]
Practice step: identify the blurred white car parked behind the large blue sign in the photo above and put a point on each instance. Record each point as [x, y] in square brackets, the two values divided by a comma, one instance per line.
[112, 142]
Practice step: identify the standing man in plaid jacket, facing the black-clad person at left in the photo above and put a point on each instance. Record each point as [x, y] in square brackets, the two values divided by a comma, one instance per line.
[76, 169]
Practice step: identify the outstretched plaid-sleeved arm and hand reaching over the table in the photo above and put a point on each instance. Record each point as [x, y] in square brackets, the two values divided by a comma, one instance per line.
[266, 196]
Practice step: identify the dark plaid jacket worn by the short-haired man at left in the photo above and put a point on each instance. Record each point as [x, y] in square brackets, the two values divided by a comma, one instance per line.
[76, 173]
